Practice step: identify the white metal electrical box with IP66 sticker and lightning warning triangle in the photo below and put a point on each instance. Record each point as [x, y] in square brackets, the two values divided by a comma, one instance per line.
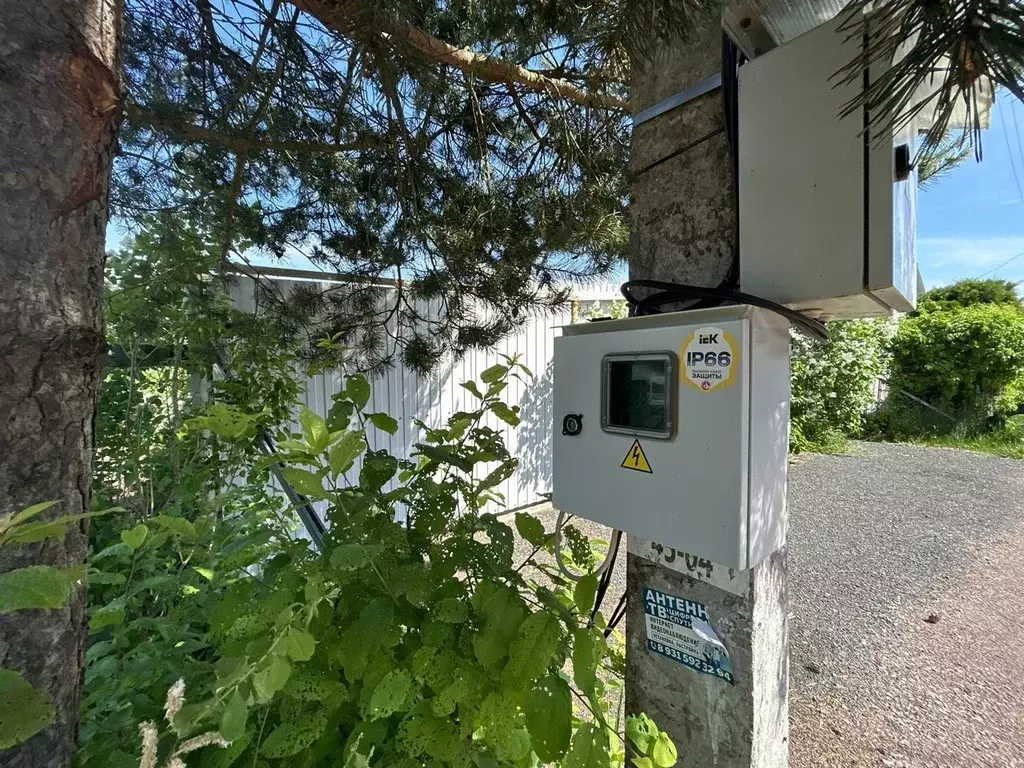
[675, 429]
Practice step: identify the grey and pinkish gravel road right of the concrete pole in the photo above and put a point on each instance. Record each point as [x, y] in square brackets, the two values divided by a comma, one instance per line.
[908, 592]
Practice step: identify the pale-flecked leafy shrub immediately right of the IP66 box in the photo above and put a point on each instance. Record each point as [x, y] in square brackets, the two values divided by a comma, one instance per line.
[834, 383]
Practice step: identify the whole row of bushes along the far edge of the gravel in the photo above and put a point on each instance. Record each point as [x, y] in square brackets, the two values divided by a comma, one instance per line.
[950, 374]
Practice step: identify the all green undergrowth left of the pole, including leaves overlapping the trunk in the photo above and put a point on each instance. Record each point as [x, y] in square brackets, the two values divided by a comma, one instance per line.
[220, 637]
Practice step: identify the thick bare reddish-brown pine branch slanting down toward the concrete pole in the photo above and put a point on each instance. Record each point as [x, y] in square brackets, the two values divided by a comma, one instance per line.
[349, 18]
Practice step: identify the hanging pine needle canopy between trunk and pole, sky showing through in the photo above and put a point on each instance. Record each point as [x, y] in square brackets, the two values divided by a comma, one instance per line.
[279, 138]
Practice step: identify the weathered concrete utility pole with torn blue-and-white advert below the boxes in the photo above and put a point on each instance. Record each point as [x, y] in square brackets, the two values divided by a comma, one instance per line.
[685, 231]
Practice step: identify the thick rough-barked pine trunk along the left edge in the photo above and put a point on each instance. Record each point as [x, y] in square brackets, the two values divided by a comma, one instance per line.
[59, 112]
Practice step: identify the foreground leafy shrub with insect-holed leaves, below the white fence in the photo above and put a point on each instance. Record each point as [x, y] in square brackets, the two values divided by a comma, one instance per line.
[403, 645]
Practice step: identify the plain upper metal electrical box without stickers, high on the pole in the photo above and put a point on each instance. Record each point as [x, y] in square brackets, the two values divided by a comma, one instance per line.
[827, 212]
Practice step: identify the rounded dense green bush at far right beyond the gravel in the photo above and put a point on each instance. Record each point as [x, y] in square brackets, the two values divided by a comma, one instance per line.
[960, 360]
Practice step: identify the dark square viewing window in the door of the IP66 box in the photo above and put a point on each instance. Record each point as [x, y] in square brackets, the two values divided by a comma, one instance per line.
[638, 395]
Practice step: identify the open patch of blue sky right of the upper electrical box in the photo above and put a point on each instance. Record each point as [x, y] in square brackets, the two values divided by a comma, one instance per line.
[972, 221]
